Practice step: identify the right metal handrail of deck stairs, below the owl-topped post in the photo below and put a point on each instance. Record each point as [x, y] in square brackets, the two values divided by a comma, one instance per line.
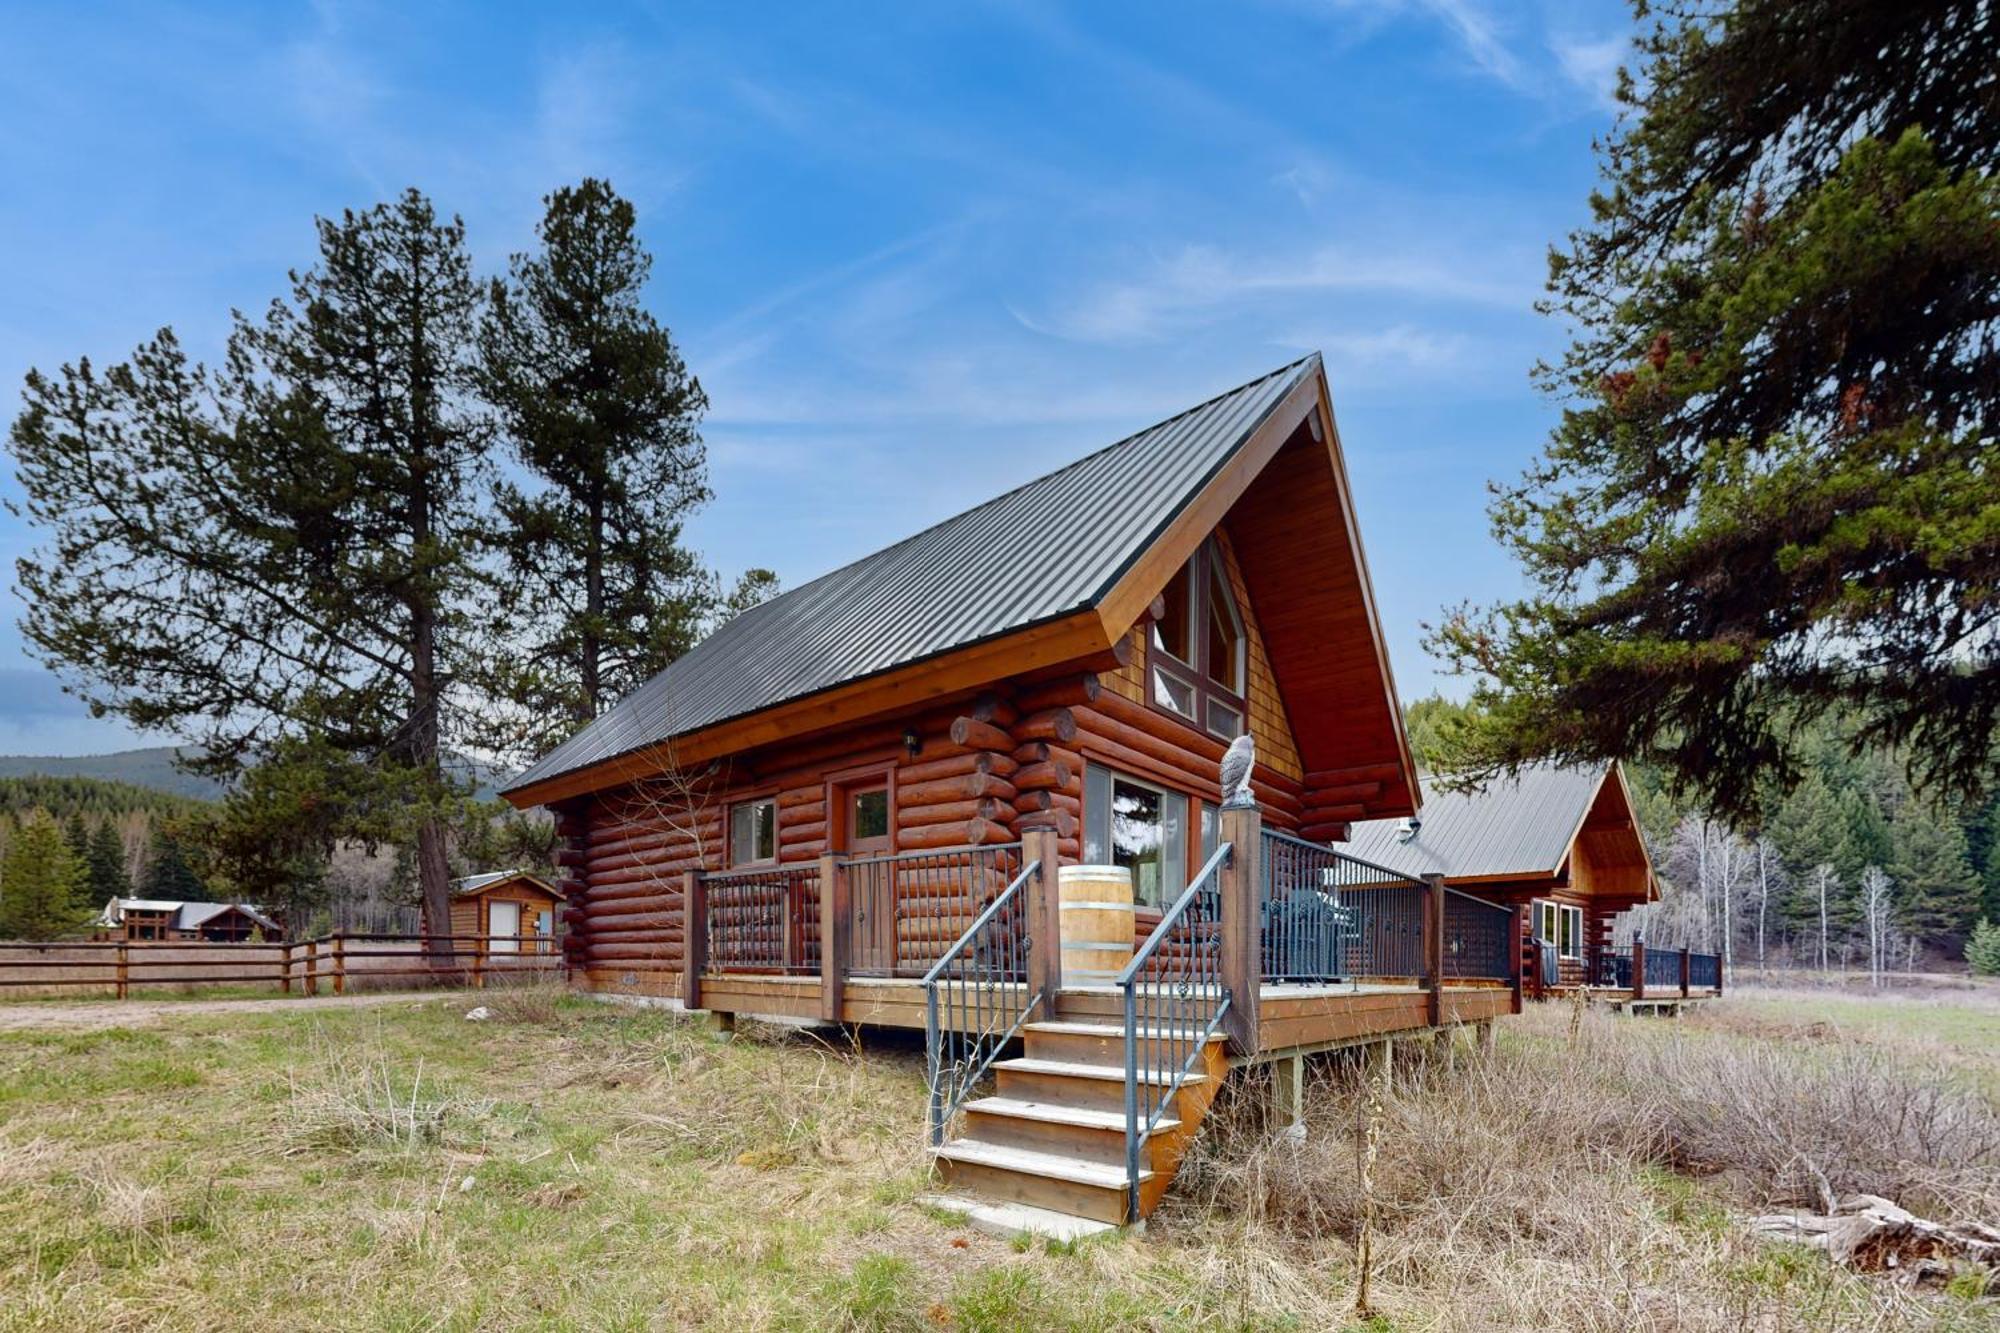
[1175, 1002]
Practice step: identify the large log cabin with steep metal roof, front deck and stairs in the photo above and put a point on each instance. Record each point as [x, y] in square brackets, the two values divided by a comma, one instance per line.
[853, 804]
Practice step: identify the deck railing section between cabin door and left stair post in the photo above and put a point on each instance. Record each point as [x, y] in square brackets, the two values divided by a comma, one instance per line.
[909, 910]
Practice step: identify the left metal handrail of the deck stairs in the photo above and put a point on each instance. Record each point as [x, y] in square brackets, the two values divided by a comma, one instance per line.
[977, 1000]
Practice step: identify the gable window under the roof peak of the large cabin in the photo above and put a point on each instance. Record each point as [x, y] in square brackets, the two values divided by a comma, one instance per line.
[1201, 655]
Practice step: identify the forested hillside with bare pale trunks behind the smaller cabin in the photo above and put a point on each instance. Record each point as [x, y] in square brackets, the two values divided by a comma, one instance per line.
[1847, 870]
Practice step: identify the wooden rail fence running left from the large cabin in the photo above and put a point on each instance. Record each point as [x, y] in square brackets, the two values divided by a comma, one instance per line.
[331, 964]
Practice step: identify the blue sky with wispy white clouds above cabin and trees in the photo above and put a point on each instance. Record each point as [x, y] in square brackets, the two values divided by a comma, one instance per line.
[915, 253]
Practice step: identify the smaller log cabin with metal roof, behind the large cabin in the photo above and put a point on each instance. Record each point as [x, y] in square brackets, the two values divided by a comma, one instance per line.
[1561, 844]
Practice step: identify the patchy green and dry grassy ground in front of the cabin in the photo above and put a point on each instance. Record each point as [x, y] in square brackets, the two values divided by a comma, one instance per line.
[573, 1166]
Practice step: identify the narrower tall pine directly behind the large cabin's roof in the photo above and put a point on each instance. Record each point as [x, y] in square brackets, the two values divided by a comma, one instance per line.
[595, 581]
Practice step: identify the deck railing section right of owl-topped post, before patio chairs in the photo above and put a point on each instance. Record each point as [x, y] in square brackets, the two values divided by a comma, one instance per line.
[1335, 918]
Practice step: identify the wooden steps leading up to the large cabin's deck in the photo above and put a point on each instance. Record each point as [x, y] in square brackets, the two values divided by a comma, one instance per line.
[1051, 1140]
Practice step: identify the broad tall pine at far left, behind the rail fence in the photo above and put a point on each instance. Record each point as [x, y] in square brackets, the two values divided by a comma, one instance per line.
[281, 547]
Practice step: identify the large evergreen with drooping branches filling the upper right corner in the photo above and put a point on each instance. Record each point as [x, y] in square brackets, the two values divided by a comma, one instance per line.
[1773, 487]
